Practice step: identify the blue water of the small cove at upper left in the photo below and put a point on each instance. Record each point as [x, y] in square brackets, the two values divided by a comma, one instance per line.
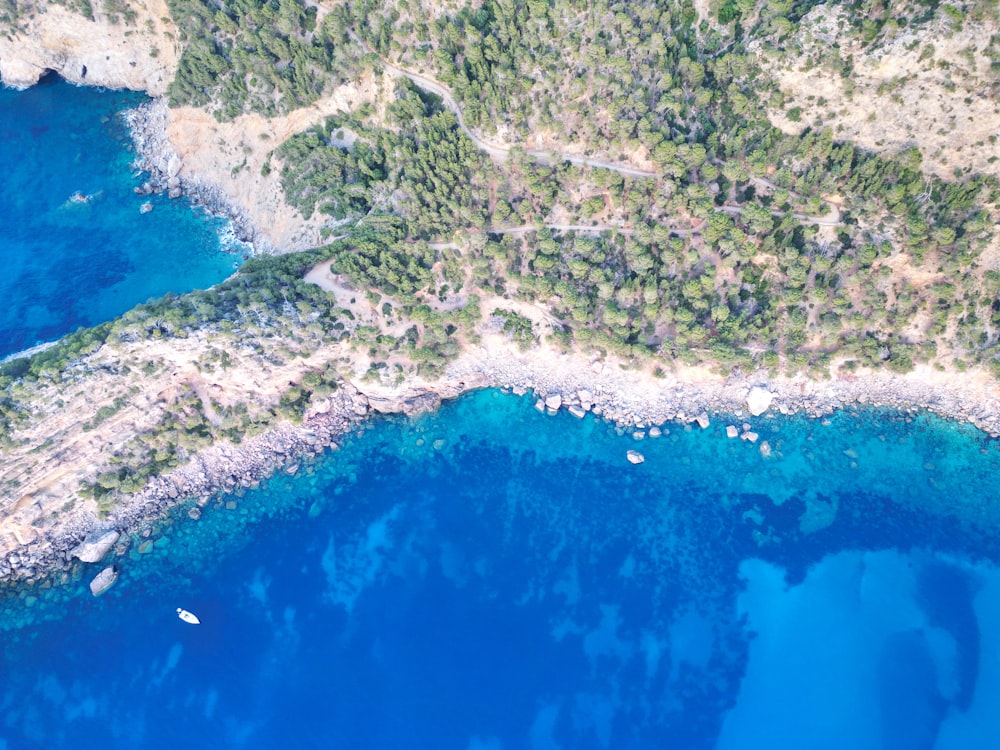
[68, 264]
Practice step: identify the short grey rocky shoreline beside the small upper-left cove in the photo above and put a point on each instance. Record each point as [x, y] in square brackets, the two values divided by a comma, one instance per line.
[156, 155]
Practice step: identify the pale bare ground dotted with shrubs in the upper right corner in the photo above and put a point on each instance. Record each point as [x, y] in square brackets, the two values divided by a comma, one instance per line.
[941, 103]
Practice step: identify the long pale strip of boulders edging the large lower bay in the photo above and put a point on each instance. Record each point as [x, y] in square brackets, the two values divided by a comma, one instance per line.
[634, 400]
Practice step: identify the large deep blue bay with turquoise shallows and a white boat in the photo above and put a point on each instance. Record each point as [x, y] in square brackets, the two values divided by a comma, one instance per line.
[490, 577]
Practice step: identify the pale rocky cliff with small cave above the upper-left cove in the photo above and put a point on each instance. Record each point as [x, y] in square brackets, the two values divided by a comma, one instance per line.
[136, 49]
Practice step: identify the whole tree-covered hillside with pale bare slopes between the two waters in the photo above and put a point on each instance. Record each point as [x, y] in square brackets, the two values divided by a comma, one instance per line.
[674, 188]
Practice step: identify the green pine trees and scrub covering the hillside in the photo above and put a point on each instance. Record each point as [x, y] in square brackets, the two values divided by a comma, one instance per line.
[747, 248]
